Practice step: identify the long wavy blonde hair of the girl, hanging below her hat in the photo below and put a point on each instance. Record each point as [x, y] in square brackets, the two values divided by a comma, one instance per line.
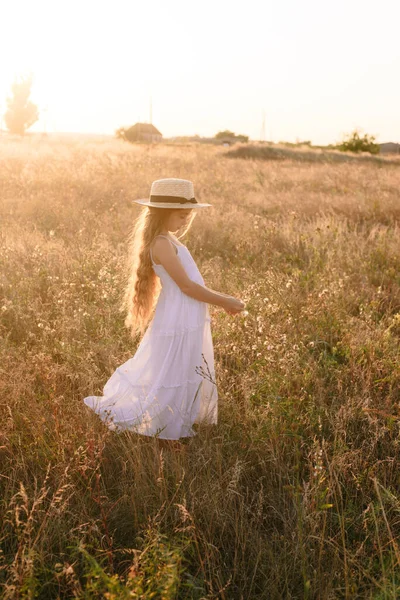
[142, 284]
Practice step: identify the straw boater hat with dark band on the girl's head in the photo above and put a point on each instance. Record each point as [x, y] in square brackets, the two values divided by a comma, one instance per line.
[172, 193]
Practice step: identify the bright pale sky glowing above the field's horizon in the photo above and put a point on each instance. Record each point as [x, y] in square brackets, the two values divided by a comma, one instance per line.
[310, 70]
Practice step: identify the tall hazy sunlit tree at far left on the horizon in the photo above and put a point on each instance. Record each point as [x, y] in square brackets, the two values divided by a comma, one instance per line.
[20, 113]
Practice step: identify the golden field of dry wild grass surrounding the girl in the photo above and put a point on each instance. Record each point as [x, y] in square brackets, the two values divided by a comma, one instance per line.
[295, 493]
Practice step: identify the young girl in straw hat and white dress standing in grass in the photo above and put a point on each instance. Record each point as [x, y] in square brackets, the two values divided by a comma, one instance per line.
[169, 384]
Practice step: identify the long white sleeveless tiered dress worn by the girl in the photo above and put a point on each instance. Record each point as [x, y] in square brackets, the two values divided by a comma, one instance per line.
[169, 384]
